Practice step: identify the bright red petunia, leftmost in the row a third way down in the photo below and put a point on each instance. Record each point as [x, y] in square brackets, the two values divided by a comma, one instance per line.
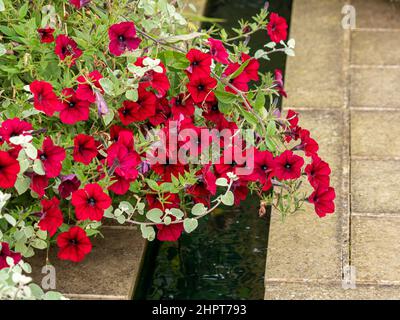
[44, 98]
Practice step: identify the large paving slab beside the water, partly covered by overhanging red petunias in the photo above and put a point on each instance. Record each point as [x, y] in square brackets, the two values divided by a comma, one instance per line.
[305, 246]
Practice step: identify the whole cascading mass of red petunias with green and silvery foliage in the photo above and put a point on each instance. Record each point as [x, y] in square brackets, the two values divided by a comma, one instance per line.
[123, 110]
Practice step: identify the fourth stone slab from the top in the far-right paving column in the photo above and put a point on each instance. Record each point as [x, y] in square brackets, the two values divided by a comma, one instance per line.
[370, 132]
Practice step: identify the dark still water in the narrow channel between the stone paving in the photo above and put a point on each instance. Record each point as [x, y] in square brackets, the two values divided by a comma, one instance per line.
[224, 258]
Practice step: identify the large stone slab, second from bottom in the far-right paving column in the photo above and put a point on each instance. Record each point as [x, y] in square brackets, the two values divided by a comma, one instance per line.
[375, 246]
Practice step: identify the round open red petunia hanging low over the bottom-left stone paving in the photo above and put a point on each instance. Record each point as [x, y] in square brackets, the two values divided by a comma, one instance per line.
[73, 244]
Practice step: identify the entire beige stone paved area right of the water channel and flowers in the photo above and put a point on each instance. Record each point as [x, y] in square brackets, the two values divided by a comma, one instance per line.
[346, 84]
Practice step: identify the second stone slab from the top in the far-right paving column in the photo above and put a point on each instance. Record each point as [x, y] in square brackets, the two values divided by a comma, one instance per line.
[371, 48]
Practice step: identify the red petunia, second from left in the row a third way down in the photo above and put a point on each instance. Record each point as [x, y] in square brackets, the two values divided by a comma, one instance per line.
[74, 109]
